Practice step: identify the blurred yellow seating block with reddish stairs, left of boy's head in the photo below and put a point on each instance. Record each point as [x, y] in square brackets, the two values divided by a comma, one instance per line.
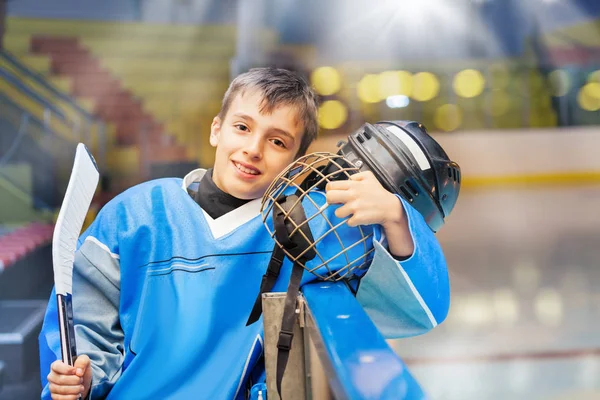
[168, 79]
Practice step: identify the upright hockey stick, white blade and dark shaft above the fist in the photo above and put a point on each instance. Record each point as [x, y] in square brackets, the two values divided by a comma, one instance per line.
[80, 190]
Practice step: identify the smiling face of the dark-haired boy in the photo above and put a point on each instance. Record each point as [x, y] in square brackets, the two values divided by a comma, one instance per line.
[253, 148]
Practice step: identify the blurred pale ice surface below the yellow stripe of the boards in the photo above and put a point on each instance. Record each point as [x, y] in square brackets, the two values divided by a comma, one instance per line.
[524, 322]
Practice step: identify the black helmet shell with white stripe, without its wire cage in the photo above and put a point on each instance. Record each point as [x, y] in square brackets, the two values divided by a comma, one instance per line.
[409, 162]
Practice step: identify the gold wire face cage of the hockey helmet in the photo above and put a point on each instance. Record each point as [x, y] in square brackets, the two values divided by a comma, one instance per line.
[340, 251]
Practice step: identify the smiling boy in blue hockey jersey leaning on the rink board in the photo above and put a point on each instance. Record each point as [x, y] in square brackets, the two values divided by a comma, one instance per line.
[164, 282]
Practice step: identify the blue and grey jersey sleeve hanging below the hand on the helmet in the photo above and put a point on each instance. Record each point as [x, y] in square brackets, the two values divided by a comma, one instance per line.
[409, 297]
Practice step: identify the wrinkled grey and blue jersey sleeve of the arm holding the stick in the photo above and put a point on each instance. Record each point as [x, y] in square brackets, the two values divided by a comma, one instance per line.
[96, 296]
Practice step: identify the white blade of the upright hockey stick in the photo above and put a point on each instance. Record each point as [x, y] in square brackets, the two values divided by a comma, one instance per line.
[80, 191]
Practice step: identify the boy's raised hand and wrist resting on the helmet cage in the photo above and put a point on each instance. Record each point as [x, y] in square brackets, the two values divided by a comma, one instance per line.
[367, 202]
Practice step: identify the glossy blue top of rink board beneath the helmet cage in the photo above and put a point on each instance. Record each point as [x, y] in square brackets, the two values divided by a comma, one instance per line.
[358, 360]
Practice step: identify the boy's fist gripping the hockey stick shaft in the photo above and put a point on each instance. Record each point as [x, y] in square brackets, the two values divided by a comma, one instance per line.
[68, 382]
